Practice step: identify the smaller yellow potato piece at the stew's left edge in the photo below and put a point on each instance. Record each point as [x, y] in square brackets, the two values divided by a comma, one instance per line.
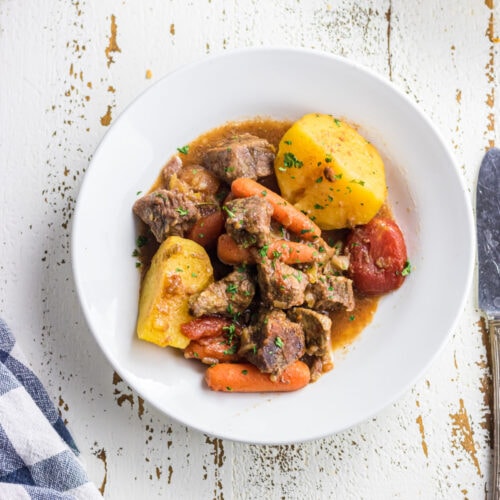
[179, 268]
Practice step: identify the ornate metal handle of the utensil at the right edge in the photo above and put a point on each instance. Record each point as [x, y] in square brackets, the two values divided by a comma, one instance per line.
[494, 335]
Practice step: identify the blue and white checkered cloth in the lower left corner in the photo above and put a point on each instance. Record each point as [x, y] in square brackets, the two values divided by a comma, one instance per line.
[38, 457]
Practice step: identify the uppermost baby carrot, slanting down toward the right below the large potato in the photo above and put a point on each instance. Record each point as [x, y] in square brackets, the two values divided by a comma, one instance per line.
[285, 213]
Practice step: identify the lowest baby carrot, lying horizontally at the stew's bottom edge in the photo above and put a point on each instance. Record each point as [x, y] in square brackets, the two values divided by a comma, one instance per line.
[245, 377]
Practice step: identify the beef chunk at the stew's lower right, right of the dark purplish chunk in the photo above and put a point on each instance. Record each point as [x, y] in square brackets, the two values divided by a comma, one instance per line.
[317, 328]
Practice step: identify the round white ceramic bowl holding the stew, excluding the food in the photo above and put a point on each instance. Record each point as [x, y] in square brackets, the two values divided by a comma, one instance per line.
[425, 192]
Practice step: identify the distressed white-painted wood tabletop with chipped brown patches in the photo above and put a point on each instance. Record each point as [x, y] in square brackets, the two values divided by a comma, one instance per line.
[68, 69]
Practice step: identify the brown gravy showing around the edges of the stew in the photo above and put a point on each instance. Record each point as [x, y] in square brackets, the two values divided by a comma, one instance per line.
[346, 326]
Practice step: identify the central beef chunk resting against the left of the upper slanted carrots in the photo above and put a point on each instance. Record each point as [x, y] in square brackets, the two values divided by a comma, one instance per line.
[249, 220]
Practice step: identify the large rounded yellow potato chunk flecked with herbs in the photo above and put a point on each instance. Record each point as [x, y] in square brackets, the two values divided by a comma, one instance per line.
[326, 169]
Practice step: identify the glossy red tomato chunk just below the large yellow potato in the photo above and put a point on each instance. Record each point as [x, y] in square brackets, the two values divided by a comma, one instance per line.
[378, 258]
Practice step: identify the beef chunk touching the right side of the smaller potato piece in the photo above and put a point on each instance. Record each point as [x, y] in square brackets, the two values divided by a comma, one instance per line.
[229, 296]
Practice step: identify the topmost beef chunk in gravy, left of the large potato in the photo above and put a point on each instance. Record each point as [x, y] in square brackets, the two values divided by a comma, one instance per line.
[242, 156]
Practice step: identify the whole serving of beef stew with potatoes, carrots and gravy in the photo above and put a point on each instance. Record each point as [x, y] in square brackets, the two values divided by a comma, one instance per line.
[263, 246]
